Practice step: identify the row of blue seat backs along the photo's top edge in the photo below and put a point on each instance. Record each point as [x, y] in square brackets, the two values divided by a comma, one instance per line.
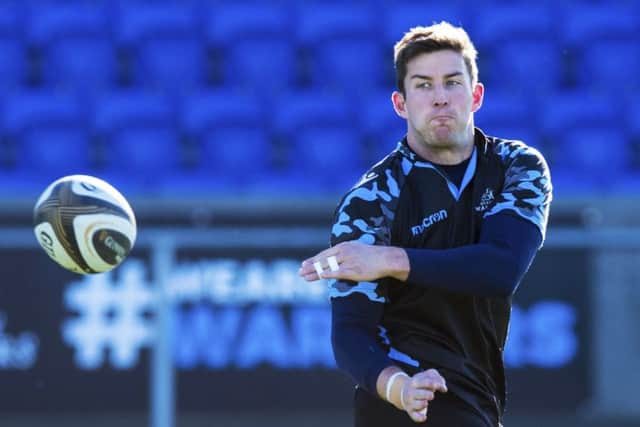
[309, 22]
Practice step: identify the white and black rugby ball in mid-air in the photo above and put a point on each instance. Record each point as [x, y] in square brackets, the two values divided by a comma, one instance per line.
[84, 224]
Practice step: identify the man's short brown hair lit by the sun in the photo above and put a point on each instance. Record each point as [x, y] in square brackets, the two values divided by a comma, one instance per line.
[442, 36]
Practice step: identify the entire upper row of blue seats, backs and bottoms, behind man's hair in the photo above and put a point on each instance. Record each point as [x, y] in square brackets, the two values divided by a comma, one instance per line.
[274, 45]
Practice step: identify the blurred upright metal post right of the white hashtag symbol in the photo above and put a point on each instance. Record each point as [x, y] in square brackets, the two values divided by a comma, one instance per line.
[162, 374]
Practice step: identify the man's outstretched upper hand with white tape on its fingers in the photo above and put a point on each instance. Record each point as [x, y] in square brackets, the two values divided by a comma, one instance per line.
[358, 262]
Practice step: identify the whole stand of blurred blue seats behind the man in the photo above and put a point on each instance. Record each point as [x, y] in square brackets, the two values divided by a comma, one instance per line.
[285, 76]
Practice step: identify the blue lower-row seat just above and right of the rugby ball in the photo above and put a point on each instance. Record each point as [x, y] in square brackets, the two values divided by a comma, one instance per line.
[140, 139]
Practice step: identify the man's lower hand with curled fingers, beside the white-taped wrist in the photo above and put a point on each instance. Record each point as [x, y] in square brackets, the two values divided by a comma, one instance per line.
[419, 390]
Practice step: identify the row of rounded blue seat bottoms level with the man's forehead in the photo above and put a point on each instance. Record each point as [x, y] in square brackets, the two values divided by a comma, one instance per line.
[276, 65]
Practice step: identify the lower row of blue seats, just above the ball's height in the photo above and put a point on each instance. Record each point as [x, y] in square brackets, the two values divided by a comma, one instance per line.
[301, 139]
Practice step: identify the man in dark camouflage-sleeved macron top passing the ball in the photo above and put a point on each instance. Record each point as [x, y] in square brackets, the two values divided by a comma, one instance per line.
[428, 248]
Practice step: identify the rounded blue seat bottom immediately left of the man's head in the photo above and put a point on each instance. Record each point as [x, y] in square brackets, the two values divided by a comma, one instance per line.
[340, 64]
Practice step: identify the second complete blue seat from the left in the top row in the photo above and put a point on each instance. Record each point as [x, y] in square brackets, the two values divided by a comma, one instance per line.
[165, 44]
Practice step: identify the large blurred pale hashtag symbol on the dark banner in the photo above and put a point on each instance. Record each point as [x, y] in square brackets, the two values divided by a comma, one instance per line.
[114, 317]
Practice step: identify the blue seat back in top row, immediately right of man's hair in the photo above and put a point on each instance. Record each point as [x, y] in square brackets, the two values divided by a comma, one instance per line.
[522, 22]
